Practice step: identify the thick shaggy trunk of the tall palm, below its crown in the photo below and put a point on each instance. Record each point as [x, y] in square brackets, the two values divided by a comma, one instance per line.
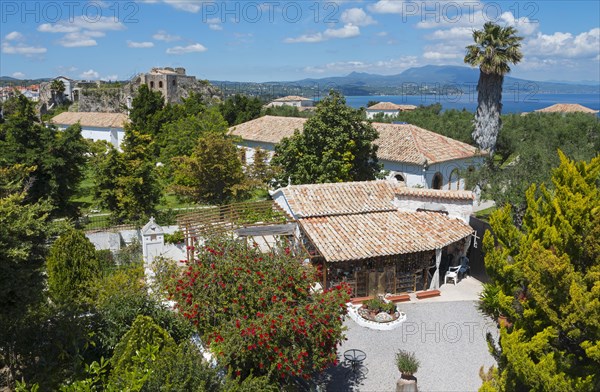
[489, 108]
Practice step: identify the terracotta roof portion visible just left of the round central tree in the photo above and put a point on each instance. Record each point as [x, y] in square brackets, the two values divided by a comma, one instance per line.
[268, 129]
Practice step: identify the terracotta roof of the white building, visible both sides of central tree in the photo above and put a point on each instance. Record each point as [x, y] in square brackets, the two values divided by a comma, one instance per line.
[405, 143]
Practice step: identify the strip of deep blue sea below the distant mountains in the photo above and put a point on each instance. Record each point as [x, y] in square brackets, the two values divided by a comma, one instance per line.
[512, 101]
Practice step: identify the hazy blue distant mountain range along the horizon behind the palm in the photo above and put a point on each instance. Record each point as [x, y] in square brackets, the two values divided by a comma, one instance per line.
[427, 79]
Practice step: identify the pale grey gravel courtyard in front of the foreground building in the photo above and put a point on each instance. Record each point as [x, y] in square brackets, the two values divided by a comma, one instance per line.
[447, 337]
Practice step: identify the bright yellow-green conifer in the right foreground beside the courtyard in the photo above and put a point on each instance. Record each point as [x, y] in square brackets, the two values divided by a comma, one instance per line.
[547, 280]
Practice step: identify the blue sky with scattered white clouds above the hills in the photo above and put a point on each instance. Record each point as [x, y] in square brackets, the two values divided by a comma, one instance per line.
[286, 40]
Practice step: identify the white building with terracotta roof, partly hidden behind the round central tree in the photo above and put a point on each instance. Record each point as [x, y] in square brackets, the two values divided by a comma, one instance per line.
[412, 155]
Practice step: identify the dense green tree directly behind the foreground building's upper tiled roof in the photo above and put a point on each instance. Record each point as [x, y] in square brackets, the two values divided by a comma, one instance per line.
[336, 145]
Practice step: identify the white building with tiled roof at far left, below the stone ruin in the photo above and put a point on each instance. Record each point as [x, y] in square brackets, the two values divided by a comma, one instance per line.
[95, 126]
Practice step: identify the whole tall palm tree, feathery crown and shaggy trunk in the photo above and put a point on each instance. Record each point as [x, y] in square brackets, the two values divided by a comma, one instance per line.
[495, 47]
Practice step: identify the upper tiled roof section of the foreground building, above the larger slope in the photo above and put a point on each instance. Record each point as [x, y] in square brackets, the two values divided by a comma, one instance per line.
[341, 198]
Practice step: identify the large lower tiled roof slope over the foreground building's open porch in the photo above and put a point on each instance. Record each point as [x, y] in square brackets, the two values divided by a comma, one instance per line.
[376, 234]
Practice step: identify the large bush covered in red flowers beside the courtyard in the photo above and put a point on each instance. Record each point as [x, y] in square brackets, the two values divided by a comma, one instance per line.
[256, 311]
